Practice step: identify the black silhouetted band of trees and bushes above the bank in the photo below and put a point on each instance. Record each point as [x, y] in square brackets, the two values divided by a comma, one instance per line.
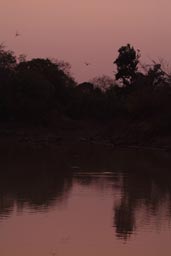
[135, 107]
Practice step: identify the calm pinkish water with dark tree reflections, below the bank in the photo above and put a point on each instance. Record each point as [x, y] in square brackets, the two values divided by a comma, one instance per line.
[118, 204]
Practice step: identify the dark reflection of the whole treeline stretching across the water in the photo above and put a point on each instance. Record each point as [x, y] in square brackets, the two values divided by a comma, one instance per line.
[140, 198]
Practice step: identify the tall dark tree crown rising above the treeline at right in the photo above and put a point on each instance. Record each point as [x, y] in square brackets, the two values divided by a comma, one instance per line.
[127, 63]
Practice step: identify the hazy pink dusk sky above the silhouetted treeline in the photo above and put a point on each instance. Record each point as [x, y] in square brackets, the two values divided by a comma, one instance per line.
[80, 31]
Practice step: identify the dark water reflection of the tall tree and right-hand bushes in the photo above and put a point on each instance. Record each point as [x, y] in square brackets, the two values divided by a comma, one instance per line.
[149, 194]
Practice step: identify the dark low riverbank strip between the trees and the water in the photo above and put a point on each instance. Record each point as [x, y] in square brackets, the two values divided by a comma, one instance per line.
[118, 134]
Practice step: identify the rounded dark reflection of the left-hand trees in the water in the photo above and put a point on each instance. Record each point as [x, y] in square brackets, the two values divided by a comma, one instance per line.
[37, 191]
